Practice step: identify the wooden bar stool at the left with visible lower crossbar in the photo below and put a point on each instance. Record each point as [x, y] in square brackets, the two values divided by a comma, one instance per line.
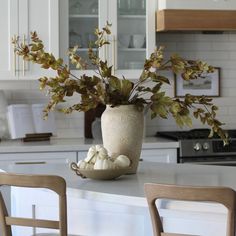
[54, 183]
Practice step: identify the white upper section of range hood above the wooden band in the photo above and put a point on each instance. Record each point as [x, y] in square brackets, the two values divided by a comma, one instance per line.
[197, 4]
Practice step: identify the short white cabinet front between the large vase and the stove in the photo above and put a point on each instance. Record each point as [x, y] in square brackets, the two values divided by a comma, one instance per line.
[165, 155]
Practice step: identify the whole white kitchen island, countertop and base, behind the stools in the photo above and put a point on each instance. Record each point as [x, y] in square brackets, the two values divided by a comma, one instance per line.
[119, 207]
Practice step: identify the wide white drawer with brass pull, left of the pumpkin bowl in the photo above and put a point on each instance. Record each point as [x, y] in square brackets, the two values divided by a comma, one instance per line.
[37, 158]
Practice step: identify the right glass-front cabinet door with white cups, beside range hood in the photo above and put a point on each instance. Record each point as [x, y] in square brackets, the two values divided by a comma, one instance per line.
[133, 35]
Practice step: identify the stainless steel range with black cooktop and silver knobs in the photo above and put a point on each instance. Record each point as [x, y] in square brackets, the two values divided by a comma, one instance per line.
[197, 148]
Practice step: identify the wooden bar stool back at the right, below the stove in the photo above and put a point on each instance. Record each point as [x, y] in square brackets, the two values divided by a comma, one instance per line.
[223, 195]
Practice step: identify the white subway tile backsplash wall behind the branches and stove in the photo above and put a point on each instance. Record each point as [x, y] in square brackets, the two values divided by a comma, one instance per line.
[218, 50]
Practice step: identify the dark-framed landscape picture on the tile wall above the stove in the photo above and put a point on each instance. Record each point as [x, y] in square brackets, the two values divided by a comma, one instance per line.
[208, 86]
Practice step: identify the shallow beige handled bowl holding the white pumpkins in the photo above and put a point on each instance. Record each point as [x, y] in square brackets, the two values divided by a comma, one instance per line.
[107, 174]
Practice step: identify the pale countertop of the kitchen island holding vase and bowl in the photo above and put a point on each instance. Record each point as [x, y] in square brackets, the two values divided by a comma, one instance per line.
[128, 189]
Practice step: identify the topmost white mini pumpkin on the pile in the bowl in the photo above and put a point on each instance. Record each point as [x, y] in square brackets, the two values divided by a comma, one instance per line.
[96, 152]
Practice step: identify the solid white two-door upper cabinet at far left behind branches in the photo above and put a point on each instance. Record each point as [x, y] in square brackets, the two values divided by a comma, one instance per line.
[18, 18]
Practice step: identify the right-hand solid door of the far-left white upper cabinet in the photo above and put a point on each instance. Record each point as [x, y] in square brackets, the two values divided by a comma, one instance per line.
[43, 17]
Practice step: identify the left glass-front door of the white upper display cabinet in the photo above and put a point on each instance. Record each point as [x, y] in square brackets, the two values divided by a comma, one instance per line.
[80, 19]
